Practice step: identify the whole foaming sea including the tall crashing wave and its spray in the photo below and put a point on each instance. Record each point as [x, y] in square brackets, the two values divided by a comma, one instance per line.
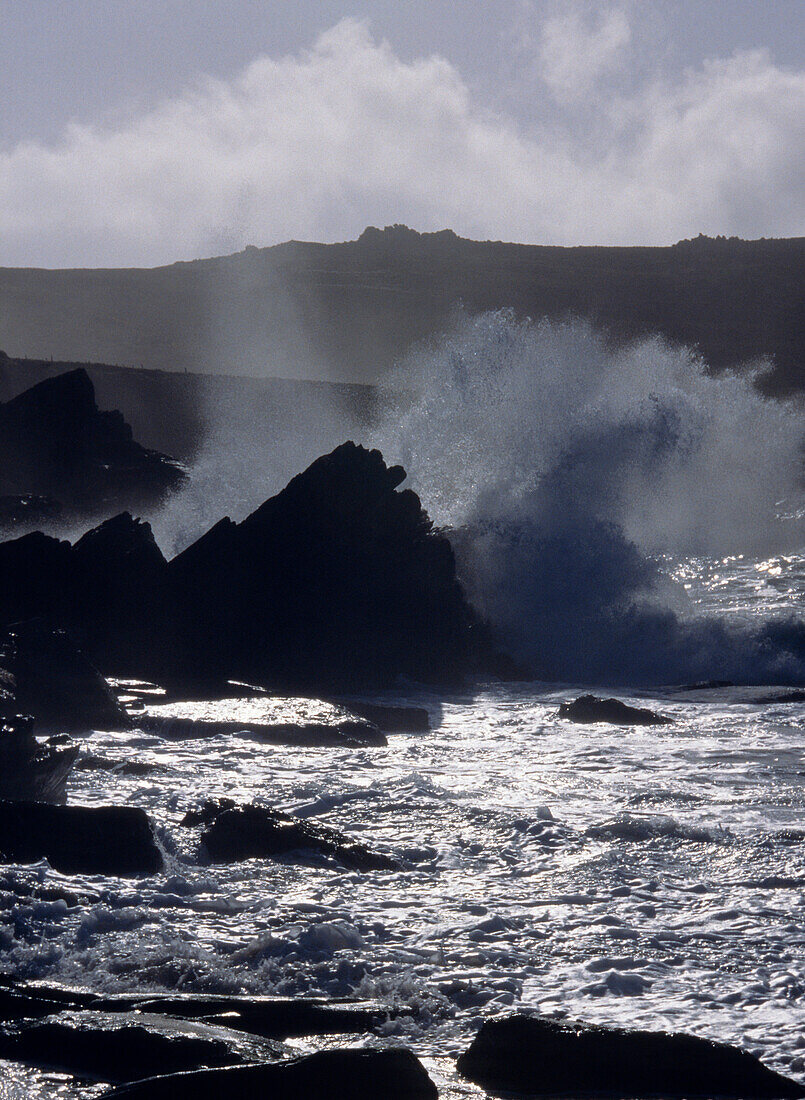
[631, 525]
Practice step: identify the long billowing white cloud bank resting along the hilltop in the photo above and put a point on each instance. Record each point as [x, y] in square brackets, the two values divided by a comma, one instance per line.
[347, 135]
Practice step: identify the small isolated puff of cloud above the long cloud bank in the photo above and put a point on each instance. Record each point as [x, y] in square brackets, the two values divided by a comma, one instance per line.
[576, 52]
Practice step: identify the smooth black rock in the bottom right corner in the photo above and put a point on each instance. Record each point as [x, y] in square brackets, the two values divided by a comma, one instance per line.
[545, 1058]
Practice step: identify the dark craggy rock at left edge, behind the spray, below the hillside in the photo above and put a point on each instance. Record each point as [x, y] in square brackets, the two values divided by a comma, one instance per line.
[62, 458]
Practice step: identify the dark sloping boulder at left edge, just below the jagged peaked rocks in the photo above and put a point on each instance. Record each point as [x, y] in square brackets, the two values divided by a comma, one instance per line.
[56, 684]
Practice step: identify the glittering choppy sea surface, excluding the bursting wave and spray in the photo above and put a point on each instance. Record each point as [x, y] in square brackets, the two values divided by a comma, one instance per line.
[653, 877]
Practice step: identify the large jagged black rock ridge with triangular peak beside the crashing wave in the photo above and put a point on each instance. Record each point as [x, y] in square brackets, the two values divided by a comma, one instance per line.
[338, 584]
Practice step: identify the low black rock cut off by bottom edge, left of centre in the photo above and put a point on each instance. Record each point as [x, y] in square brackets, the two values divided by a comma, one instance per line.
[393, 1074]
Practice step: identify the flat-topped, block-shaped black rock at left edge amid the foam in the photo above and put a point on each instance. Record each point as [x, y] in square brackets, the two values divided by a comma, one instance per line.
[80, 840]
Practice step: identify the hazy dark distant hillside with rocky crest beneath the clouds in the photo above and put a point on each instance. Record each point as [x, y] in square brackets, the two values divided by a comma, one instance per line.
[346, 312]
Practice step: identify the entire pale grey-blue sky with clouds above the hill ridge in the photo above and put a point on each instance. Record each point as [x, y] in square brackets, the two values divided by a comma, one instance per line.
[141, 133]
